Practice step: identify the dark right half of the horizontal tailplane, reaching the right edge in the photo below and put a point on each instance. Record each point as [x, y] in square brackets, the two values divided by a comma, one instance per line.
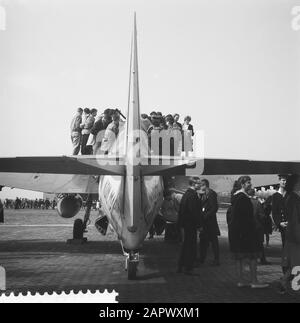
[204, 166]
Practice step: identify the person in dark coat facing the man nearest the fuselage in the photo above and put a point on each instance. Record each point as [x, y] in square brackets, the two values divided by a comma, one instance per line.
[210, 230]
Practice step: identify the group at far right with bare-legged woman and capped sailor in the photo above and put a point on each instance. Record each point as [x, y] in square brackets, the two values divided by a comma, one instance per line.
[246, 227]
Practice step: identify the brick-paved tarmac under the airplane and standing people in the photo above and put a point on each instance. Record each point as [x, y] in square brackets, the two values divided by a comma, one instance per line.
[35, 255]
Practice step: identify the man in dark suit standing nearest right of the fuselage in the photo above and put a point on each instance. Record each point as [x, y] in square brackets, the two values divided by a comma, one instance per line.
[189, 221]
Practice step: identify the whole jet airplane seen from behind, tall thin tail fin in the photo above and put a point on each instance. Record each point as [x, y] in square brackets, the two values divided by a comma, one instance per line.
[130, 185]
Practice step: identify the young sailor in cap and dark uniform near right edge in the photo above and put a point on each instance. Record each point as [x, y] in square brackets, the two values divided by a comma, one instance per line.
[278, 210]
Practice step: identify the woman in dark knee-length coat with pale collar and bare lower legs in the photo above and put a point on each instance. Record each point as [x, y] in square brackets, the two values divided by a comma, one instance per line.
[244, 243]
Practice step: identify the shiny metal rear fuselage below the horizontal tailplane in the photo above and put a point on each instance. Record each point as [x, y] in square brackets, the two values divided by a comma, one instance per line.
[131, 204]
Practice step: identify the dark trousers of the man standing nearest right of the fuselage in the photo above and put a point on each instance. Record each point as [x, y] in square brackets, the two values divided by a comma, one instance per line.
[188, 252]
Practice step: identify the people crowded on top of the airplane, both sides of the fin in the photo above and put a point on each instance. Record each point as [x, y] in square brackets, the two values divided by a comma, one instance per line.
[96, 135]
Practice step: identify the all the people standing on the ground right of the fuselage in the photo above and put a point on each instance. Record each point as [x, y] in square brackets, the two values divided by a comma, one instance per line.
[250, 219]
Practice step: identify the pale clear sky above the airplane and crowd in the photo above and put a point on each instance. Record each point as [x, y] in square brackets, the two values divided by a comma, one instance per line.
[234, 66]
